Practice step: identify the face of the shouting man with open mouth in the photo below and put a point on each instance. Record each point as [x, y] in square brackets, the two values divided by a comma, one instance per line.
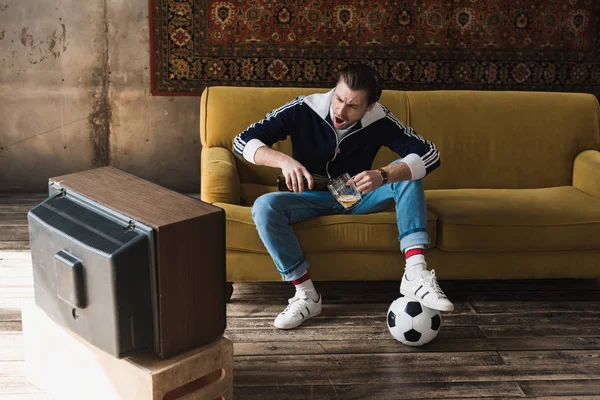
[348, 105]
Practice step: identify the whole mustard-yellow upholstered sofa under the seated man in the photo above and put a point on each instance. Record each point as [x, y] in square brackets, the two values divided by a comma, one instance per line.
[517, 194]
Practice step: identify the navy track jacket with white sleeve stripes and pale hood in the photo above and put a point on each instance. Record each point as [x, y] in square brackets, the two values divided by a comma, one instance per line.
[315, 143]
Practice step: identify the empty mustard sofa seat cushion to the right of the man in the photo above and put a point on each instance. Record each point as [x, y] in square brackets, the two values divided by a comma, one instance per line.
[547, 219]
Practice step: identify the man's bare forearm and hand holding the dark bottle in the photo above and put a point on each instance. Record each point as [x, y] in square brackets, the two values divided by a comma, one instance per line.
[293, 171]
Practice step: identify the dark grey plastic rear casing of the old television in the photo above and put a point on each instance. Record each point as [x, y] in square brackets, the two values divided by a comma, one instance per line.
[94, 272]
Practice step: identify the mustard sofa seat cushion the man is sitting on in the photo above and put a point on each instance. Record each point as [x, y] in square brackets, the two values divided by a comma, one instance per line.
[375, 232]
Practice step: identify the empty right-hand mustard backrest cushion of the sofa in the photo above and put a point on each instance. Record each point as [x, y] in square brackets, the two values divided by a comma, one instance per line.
[505, 139]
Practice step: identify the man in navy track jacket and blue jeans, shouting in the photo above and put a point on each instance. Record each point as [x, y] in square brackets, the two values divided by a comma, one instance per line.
[333, 133]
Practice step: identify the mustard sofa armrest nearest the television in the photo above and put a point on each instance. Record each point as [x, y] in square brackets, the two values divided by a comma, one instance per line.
[219, 181]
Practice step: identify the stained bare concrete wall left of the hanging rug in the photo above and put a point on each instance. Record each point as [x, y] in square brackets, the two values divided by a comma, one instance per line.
[75, 94]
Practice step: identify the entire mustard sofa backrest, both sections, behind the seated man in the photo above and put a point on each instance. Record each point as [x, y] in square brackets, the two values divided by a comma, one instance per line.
[486, 139]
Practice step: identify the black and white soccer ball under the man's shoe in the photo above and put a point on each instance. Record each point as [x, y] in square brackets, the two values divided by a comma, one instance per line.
[411, 323]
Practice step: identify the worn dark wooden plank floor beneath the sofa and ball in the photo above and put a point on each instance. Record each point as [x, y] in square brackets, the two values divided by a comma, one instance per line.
[521, 339]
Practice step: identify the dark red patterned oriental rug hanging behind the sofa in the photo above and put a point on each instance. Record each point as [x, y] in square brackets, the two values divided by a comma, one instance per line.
[545, 45]
